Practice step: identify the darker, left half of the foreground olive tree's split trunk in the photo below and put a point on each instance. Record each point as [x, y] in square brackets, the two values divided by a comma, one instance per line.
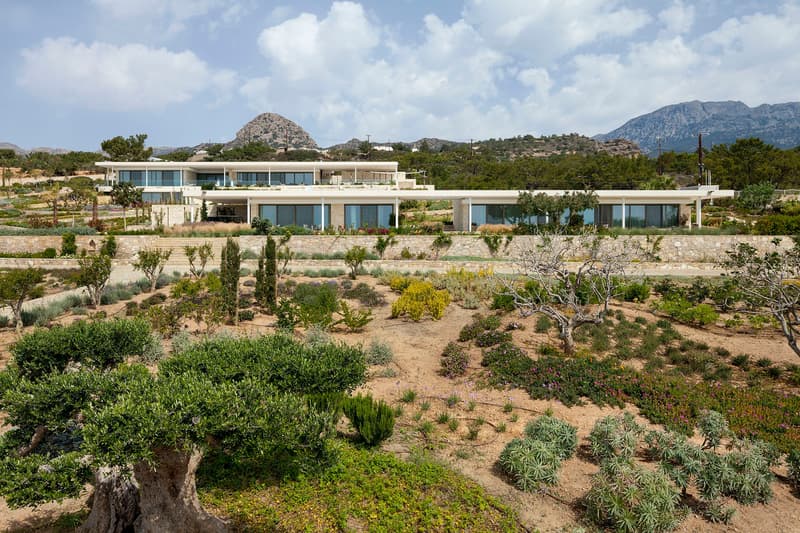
[115, 503]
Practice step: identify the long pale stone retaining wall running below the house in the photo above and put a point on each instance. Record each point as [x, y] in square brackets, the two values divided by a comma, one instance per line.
[669, 248]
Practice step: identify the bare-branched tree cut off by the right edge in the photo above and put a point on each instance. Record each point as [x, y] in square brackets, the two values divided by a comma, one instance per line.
[772, 280]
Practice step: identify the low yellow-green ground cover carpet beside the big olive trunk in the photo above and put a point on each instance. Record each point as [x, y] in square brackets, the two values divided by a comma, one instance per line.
[368, 488]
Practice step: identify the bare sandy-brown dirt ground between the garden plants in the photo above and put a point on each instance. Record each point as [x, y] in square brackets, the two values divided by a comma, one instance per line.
[417, 348]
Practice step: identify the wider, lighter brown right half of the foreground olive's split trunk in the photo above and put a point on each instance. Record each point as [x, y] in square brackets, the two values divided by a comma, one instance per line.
[168, 495]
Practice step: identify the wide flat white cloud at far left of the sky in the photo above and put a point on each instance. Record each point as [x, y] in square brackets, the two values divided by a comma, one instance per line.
[117, 78]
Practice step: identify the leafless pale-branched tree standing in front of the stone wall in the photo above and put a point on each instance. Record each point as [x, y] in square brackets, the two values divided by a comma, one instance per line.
[570, 279]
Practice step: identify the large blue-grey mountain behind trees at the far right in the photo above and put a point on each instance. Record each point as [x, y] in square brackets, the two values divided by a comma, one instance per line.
[720, 122]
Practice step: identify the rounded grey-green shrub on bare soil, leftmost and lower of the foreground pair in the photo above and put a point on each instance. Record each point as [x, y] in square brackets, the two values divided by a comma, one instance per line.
[530, 463]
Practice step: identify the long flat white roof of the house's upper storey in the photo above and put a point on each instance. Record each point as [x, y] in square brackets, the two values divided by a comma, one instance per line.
[210, 166]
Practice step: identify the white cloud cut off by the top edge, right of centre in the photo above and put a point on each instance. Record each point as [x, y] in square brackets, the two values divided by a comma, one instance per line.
[544, 30]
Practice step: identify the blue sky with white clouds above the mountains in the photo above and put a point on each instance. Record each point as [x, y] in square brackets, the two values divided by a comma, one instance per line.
[75, 72]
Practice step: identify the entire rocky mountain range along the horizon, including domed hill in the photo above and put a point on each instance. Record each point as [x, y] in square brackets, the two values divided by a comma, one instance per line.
[674, 127]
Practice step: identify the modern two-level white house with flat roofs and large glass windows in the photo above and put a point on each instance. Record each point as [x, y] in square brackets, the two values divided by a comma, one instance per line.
[355, 194]
